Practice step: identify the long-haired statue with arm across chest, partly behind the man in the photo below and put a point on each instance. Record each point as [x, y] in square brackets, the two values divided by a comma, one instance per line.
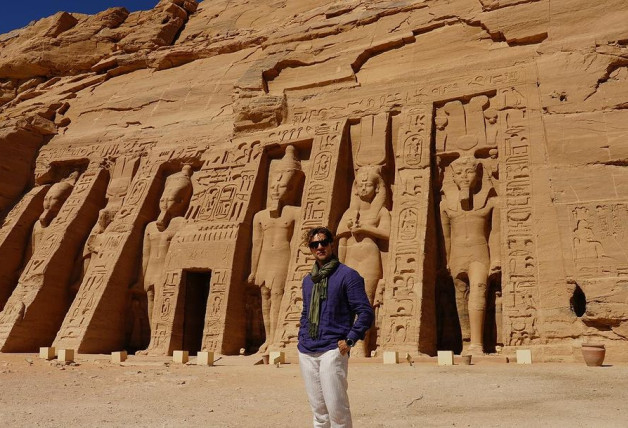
[364, 232]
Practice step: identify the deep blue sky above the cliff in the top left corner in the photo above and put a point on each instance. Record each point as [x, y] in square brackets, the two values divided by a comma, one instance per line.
[17, 14]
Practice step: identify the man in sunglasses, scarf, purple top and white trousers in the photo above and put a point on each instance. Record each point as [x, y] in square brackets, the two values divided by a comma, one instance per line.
[333, 298]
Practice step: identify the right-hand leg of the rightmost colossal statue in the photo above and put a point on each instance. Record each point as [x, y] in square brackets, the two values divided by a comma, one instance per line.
[478, 277]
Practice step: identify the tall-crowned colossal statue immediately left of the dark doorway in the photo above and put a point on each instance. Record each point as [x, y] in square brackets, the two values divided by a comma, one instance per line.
[173, 204]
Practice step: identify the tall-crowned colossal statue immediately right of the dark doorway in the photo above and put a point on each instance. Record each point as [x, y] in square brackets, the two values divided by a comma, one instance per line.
[273, 230]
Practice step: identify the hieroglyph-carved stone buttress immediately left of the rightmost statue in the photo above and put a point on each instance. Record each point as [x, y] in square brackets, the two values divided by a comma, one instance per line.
[402, 300]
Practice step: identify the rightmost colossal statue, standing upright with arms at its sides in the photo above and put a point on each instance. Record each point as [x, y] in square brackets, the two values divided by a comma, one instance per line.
[470, 222]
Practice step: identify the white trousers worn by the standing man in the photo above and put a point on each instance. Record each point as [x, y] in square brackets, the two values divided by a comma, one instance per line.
[325, 376]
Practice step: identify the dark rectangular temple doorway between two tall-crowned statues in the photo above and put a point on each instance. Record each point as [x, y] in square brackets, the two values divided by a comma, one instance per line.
[196, 293]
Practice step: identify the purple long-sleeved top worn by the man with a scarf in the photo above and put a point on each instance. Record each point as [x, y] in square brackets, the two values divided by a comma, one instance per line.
[346, 298]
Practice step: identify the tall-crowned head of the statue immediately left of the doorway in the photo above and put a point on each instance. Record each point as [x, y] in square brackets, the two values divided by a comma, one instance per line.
[175, 198]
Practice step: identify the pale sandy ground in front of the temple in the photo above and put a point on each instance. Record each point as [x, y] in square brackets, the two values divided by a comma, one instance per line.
[235, 393]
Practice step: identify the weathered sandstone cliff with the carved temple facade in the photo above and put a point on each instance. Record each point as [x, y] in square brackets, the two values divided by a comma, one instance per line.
[531, 96]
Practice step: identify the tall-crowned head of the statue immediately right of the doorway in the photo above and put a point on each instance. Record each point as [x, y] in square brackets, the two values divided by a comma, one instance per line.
[284, 179]
